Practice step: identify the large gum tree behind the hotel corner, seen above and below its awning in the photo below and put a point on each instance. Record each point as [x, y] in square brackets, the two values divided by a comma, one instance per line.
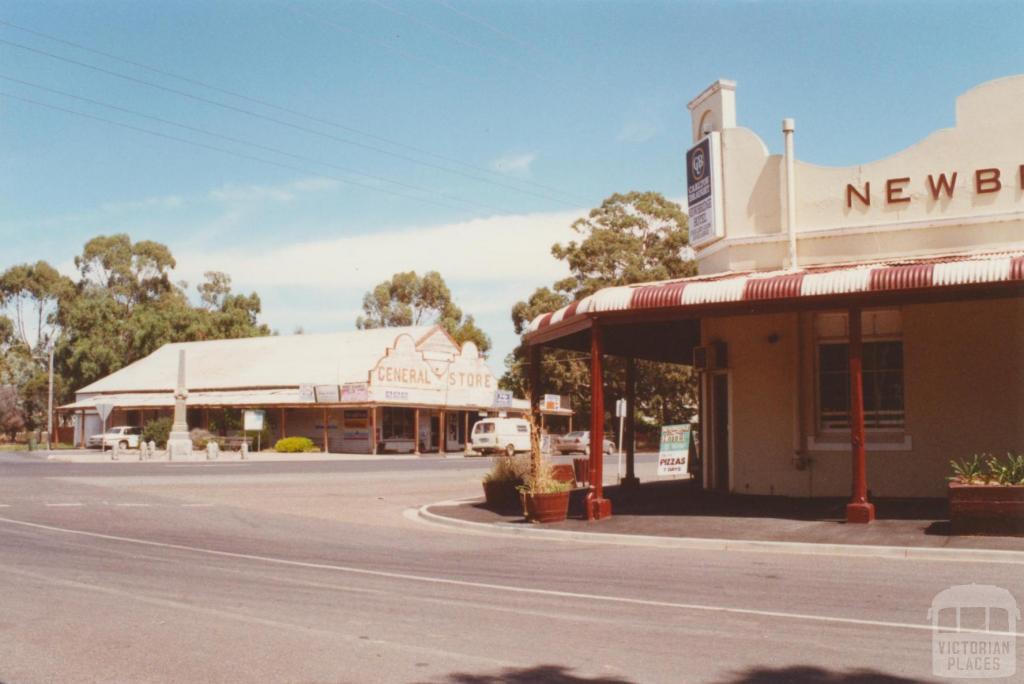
[631, 238]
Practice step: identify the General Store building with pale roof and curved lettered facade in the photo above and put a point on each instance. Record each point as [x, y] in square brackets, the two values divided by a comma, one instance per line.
[383, 391]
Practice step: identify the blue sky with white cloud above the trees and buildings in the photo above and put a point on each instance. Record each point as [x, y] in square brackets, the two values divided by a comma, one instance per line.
[383, 136]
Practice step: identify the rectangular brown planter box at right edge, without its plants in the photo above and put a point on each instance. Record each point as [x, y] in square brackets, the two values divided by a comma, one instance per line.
[987, 509]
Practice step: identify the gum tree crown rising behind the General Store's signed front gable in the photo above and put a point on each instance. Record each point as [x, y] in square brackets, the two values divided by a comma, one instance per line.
[408, 300]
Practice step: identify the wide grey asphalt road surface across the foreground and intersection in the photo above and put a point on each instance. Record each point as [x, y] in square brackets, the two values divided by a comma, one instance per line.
[314, 573]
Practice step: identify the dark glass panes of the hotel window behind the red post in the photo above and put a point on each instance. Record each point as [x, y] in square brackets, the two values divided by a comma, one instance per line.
[883, 381]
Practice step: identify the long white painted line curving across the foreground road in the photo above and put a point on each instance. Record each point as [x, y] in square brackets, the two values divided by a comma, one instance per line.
[623, 601]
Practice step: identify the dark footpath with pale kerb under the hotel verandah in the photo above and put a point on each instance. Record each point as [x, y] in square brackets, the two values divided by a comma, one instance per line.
[678, 515]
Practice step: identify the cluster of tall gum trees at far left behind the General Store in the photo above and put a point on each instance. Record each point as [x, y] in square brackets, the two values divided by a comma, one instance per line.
[123, 307]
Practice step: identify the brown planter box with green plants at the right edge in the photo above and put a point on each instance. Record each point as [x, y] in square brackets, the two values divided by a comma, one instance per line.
[987, 496]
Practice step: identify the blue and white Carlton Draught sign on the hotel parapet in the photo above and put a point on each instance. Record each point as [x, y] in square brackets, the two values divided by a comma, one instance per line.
[704, 191]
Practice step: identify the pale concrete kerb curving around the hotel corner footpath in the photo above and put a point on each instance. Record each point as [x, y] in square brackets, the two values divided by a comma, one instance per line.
[702, 544]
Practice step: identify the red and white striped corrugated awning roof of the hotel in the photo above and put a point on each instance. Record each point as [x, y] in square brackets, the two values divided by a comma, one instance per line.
[864, 278]
